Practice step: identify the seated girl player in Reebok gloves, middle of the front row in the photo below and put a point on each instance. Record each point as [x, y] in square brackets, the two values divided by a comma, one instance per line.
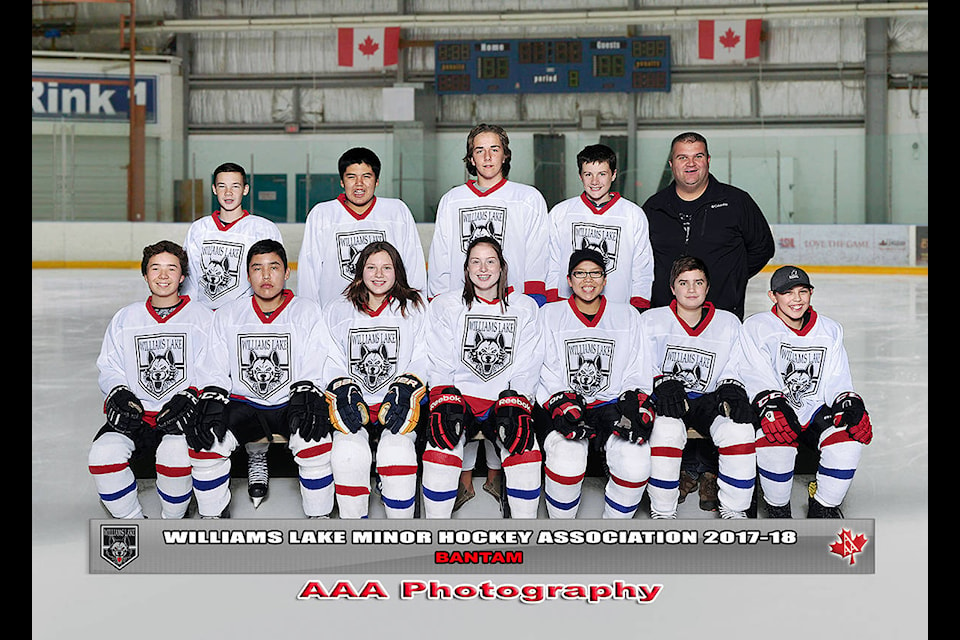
[484, 367]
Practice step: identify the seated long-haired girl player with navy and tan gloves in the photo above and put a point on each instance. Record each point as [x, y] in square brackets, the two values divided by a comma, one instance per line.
[379, 348]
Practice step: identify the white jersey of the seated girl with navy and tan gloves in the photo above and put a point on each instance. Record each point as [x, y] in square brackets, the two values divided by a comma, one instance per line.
[374, 347]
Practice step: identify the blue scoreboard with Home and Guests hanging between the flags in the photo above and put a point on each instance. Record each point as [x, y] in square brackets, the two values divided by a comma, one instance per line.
[553, 66]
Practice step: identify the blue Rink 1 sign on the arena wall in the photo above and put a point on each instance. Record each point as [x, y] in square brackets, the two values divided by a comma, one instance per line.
[91, 97]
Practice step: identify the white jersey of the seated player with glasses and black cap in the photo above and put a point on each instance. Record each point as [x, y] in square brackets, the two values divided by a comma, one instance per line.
[598, 358]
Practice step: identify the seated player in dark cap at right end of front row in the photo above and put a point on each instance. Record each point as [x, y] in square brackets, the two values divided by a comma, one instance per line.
[796, 370]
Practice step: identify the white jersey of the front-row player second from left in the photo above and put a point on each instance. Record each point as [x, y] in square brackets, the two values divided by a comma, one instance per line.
[257, 357]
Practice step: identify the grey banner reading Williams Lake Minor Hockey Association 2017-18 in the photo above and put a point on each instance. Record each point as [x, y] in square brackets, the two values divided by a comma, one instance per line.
[483, 546]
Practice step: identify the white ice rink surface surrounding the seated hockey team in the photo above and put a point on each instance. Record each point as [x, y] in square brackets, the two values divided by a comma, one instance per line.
[885, 318]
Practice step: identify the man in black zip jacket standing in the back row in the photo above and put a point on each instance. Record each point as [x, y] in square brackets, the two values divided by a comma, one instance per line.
[700, 216]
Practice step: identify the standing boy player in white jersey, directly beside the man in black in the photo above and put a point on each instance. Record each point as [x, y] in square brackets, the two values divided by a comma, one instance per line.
[602, 220]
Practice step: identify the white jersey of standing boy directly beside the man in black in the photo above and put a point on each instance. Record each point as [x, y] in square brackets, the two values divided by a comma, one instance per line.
[618, 231]
